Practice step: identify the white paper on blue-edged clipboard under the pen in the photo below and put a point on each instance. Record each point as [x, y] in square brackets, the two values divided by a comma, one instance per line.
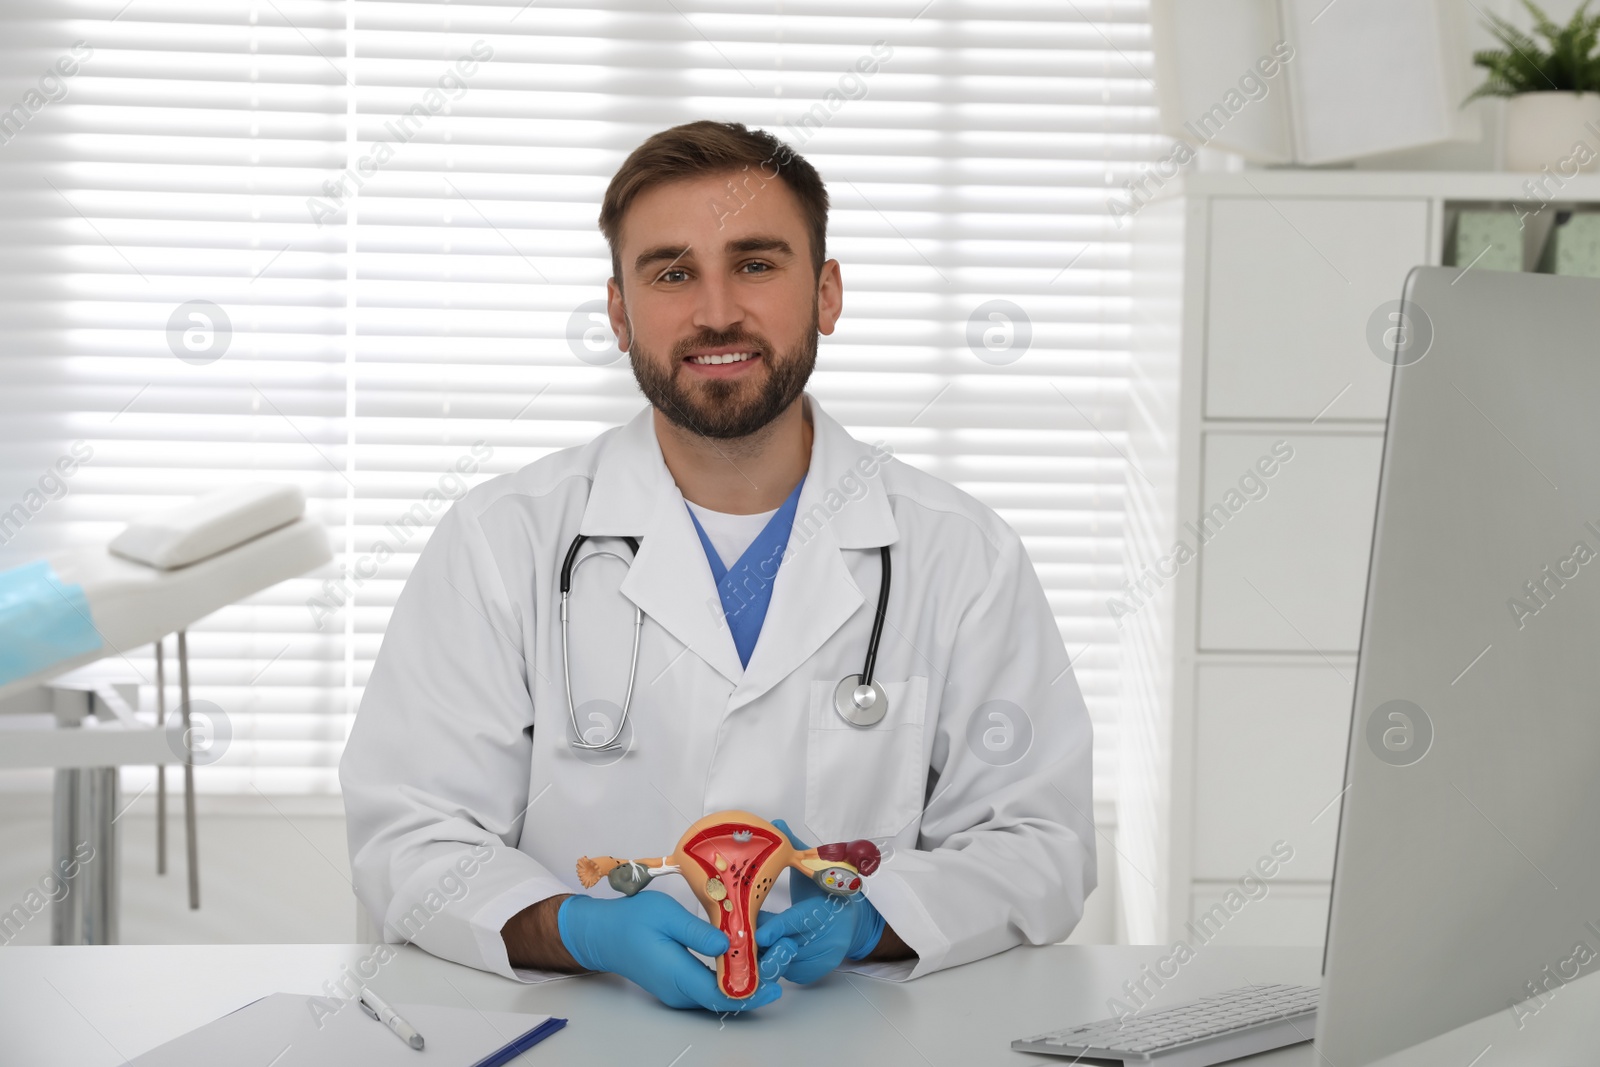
[284, 1031]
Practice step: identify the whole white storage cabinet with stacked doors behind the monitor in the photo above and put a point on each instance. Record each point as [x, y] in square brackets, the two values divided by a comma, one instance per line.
[1239, 658]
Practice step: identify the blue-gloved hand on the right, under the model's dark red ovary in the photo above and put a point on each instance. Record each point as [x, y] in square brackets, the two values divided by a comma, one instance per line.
[825, 930]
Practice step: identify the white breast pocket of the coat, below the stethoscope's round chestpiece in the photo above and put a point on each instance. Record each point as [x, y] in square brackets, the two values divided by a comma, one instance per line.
[865, 783]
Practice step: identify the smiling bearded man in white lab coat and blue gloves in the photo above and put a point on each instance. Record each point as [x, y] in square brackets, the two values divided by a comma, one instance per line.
[759, 526]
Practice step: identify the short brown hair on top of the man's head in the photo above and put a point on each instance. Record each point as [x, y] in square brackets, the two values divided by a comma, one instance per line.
[710, 148]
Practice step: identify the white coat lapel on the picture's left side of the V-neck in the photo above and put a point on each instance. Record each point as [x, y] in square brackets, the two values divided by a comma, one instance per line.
[634, 495]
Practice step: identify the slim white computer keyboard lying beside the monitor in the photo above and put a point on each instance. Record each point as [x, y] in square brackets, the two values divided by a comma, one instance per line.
[1194, 1034]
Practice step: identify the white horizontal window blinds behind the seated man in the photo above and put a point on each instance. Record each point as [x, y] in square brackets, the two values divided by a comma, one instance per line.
[353, 246]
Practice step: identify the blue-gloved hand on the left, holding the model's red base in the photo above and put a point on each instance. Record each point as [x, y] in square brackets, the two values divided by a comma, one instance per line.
[646, 938]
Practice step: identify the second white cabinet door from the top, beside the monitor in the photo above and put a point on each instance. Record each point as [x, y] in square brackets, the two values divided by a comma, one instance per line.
[1284, 567]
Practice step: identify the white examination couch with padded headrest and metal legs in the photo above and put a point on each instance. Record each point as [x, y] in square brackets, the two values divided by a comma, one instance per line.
[159, 577]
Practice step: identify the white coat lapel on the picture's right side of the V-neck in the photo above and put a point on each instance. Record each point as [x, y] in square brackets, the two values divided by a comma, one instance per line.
[815, 593]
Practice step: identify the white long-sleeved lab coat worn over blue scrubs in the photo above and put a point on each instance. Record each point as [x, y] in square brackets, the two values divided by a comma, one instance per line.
[466, 804]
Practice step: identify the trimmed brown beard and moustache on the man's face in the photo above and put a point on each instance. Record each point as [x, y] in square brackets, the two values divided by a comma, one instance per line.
[719, 407]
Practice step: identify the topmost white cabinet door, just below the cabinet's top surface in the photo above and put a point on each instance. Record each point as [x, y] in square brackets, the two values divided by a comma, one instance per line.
[1294, 282]
